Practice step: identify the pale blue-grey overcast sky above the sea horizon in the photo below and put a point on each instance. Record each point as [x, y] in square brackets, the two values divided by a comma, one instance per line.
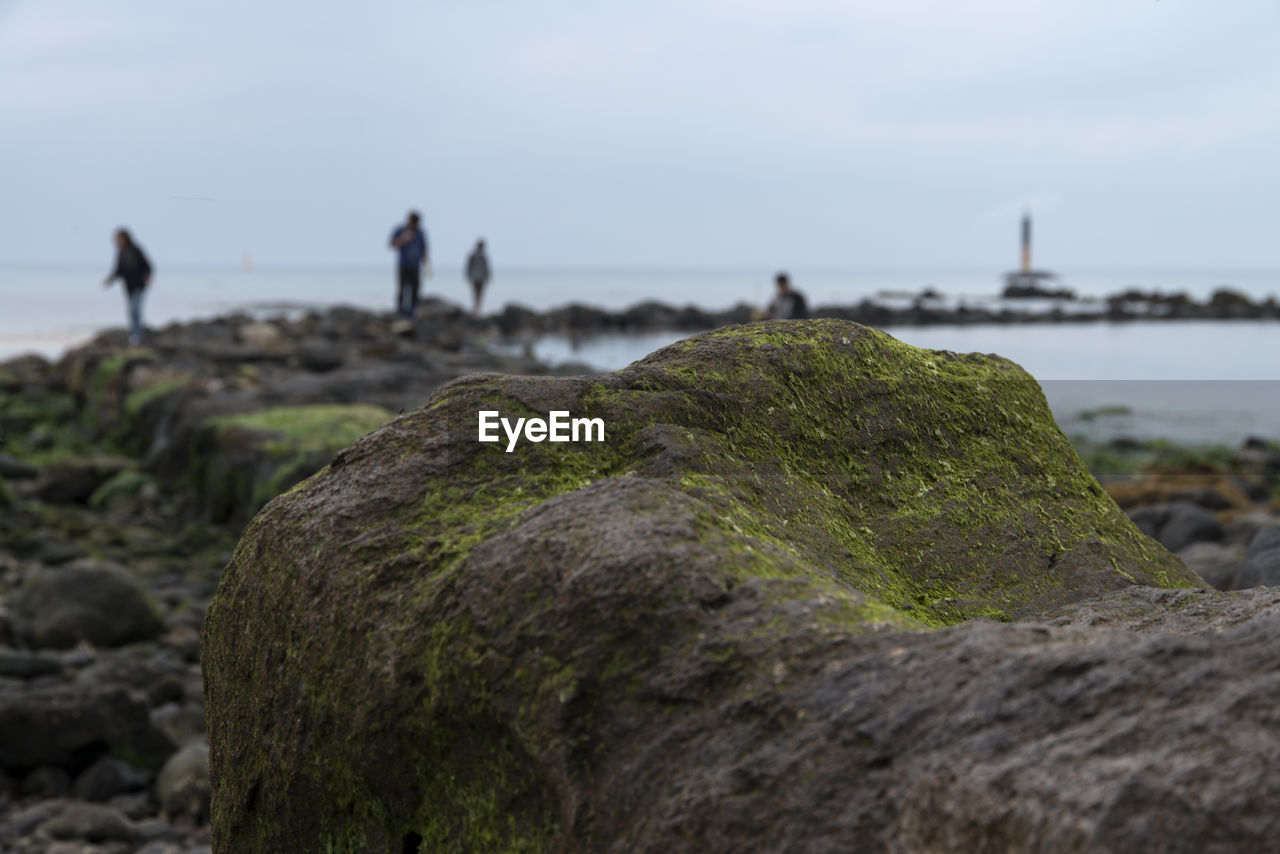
[710, 134]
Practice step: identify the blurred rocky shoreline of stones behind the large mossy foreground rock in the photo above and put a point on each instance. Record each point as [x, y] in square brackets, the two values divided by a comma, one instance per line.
[129, 474]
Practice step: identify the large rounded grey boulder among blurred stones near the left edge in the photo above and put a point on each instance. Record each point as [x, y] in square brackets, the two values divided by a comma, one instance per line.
[86, 600]
